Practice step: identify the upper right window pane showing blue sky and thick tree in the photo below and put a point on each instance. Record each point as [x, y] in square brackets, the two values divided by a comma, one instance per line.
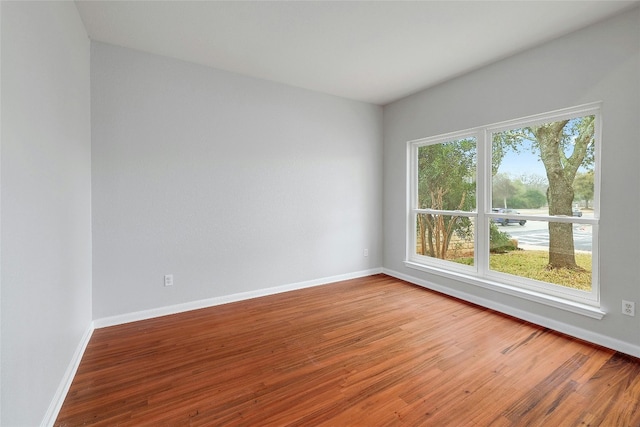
[546, 168]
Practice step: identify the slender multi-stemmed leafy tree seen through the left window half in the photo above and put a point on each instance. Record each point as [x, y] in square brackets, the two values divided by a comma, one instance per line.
[446, 181]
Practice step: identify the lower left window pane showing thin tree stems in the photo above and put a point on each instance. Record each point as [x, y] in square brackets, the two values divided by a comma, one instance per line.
[446, 237]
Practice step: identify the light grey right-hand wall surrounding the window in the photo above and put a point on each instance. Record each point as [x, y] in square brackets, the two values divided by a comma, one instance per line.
[599, 63]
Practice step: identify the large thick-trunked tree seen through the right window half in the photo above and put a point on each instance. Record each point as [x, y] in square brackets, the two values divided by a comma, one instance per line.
[564, 147]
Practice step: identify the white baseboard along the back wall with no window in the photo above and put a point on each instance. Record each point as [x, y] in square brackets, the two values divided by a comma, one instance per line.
[211, 302]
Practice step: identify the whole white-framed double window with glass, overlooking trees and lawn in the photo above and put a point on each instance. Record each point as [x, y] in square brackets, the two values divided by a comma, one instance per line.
[511, 206]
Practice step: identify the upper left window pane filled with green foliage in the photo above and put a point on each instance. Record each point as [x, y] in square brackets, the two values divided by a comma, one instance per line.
[447, 175]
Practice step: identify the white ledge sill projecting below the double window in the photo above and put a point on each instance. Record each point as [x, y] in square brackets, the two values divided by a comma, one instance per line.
[549, 300]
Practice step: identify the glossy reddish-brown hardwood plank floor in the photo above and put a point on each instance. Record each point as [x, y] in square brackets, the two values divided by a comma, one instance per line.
[374, 351]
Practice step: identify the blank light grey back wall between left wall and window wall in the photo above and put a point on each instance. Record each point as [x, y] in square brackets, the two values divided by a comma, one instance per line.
[229, 183]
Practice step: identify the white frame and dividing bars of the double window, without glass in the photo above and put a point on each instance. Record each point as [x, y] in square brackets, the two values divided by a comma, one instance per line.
[577, 301]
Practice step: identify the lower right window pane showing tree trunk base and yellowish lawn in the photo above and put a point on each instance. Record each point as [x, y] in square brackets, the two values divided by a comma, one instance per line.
[558, 253]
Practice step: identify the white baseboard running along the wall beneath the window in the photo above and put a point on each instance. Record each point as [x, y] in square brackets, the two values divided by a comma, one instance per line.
[580, 333]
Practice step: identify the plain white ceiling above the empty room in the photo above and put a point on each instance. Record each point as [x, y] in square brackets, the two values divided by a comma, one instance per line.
[371, 51]
